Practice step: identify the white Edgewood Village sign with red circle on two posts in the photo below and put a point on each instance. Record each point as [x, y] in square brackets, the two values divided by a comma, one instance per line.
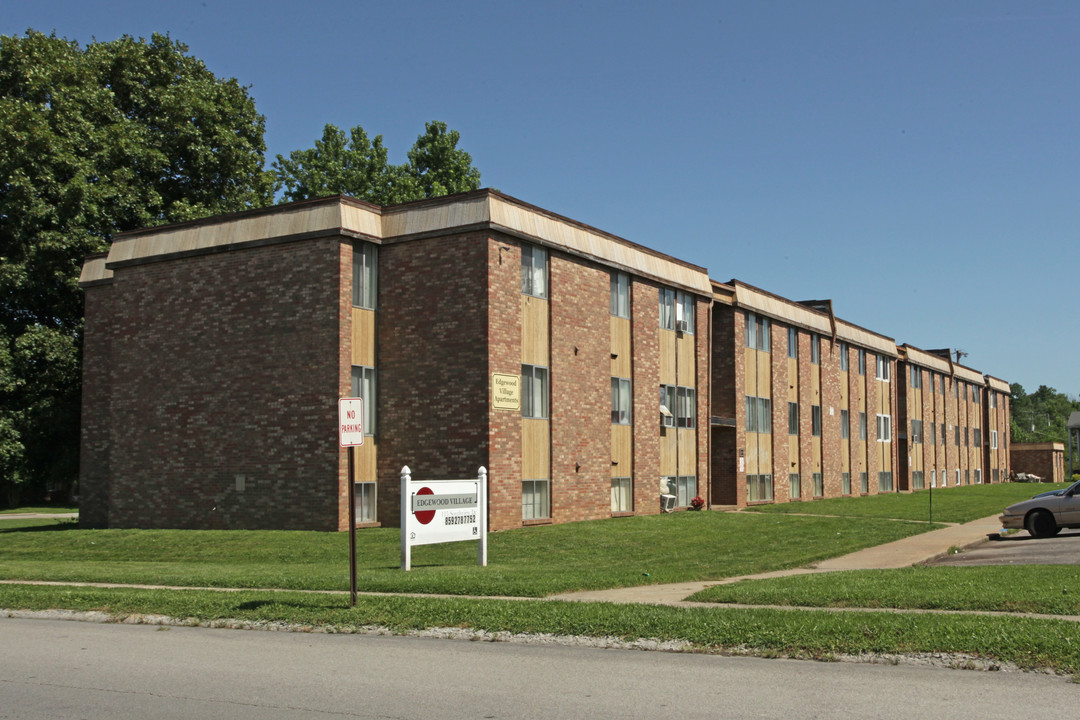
[443, 512]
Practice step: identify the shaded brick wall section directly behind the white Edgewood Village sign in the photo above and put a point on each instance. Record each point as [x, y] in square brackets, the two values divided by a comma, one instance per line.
[433, 327]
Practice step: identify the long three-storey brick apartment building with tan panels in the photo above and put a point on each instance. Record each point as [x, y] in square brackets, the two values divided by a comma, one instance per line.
[590, 375]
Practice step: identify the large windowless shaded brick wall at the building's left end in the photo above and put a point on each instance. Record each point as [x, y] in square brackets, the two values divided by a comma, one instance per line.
[224, 365]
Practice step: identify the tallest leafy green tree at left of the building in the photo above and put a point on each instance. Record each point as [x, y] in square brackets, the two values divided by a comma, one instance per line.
[97, 140]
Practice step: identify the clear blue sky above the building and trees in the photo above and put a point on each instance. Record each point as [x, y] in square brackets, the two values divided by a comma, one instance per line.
[916, 162]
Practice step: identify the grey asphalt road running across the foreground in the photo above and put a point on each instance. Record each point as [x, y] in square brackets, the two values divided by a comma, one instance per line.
[59, 670]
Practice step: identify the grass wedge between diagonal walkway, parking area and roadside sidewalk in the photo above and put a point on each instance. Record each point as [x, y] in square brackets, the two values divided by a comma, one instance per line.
[1041, 589]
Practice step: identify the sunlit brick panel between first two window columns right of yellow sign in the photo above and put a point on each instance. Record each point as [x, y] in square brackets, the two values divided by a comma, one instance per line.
[580, 391]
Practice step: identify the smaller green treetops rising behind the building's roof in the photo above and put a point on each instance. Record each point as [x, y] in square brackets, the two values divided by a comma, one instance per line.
[358, 167]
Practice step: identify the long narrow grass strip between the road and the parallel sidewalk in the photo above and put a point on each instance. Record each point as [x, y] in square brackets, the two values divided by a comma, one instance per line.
[817, 634]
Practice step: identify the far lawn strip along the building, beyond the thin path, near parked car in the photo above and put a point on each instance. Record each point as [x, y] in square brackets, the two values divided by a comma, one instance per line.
[963, 505]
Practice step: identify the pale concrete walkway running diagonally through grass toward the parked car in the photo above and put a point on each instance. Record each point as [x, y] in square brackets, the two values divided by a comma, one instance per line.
[899, 554]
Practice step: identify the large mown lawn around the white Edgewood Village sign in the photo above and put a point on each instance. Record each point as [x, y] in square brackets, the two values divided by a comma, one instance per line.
[531, 562]
